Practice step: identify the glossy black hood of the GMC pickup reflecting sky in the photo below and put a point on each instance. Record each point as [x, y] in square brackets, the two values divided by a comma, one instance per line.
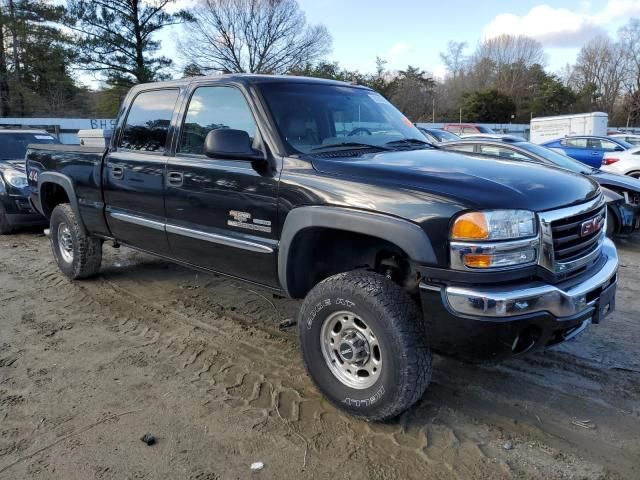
[473, 181]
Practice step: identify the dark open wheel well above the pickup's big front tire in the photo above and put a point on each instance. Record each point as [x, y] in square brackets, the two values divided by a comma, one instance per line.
[318, 253]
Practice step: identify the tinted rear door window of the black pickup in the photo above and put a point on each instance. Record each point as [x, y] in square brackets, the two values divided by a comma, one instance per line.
[148, 121]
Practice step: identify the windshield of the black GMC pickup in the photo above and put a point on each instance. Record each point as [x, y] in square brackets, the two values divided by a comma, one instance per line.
[322, 117]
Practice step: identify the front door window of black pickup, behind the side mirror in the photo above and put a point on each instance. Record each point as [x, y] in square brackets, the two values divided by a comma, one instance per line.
[211, 108]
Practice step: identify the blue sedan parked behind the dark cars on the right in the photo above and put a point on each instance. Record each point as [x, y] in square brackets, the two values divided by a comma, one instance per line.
[588, 149]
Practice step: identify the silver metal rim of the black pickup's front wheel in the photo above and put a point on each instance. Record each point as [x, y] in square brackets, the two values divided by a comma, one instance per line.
[351, 350]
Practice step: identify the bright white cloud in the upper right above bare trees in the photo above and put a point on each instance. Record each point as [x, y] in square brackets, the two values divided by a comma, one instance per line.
[561, 27]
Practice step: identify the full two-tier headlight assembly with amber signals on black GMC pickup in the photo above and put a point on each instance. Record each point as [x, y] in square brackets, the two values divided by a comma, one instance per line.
[494, 239]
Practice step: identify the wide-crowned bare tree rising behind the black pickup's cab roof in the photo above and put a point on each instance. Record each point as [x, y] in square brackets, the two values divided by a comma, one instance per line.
[256, 36]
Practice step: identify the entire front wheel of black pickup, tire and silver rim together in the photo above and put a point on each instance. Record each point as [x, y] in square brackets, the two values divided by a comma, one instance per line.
[363, 343]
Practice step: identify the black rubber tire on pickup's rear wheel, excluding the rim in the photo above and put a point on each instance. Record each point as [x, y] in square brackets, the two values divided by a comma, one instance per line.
[87, 250]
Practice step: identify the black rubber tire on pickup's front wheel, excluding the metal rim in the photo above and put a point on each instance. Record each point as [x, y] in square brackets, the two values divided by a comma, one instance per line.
[397, 322]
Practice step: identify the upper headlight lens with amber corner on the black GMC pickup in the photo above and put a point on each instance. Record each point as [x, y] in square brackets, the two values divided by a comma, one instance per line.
[494, 225]
